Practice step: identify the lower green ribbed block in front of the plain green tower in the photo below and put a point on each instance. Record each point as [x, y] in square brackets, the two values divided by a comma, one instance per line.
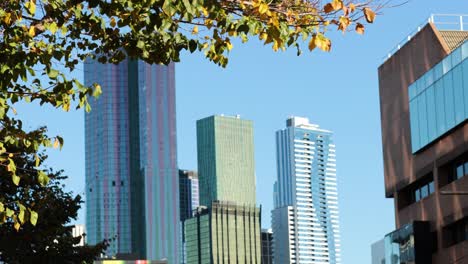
[224, 233]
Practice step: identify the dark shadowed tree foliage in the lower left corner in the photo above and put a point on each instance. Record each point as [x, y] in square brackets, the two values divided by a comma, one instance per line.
[25, 238]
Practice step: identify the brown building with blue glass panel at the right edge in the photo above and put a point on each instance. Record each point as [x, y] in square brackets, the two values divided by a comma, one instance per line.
[424, 107]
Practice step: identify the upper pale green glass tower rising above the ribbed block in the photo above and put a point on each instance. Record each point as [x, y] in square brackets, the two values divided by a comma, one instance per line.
[226, 164]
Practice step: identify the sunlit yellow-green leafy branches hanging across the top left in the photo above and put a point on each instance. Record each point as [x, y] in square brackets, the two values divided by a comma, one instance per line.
[41, 41]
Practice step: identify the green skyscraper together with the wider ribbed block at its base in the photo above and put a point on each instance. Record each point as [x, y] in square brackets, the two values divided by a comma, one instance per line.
[228, 229]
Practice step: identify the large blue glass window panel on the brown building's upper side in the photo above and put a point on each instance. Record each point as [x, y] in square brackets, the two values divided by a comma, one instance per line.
[438, 101]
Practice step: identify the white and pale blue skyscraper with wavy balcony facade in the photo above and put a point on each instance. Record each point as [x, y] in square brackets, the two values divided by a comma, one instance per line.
[305, 220]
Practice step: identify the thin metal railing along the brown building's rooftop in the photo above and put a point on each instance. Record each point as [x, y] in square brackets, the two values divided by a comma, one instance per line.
[456, 22]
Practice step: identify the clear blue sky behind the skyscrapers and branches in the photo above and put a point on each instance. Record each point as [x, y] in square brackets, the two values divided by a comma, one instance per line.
[337, 90]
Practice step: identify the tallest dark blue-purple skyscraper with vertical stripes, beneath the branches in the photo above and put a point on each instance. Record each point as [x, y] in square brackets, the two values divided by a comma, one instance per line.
[131, 170]
